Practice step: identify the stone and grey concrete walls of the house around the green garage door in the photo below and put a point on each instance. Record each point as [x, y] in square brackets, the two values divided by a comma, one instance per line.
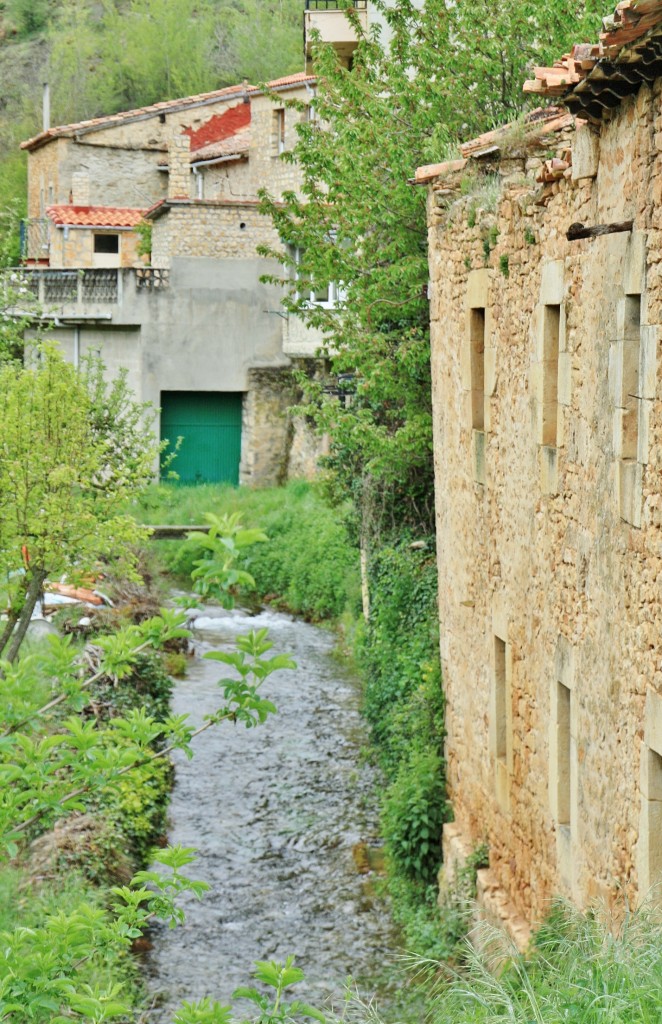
[216, 327]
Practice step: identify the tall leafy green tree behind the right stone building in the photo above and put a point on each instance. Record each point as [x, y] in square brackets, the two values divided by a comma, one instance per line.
[450, 70]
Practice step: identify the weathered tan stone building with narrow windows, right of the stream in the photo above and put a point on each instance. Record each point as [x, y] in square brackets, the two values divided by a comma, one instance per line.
[546, 251]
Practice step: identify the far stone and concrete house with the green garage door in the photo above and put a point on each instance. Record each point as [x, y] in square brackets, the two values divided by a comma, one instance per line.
[201, 337]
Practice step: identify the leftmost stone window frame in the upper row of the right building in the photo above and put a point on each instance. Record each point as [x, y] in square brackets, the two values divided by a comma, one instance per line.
[478, 298]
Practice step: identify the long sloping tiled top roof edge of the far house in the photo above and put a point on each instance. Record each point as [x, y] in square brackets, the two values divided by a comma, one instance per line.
[142, 113]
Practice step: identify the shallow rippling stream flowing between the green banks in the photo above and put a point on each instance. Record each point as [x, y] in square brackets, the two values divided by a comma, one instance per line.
[283, 818]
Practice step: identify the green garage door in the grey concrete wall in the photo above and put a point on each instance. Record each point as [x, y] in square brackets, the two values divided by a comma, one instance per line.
[211, 423]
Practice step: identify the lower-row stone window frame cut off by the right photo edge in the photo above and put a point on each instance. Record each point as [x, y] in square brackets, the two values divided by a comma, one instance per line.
[649, 848]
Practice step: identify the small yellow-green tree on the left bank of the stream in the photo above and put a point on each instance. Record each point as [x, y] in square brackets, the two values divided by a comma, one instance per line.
[72, 452]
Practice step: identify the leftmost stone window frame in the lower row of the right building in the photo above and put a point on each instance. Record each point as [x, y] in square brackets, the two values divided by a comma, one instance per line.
[502, 706]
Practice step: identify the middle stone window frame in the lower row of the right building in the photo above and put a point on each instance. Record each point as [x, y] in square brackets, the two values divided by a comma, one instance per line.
[564, 761]
